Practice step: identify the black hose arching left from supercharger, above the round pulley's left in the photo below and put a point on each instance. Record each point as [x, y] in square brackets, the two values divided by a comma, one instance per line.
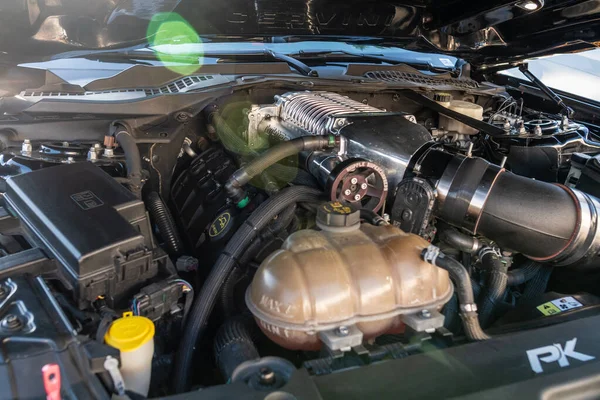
[275, 154]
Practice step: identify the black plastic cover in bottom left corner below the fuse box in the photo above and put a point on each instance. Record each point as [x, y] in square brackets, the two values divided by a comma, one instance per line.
[34, 332]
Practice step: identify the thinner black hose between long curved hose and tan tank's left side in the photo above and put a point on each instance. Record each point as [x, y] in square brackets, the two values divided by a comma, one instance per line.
[274, 228]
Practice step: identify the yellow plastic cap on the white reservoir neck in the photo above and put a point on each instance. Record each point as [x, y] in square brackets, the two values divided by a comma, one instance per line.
[129, 332]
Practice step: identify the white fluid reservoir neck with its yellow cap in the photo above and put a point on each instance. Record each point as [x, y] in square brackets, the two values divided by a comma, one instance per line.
[134, 337]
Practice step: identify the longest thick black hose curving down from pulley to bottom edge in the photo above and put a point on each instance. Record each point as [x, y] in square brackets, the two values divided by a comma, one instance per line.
[204, 303]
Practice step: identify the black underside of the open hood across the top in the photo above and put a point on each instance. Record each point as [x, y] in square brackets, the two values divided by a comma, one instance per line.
[485, 33]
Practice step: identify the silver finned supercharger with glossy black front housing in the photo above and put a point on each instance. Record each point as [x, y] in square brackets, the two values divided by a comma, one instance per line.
[388, 139]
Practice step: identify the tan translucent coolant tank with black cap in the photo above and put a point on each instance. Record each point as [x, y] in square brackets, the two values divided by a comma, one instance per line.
[346, 275]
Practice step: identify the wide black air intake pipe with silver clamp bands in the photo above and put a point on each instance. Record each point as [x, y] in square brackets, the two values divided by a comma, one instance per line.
[546, 222]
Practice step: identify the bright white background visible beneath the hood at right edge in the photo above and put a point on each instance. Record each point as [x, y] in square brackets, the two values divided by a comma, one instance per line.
[578, 74]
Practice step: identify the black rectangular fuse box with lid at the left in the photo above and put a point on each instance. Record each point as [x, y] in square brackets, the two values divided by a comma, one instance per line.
[96, 229]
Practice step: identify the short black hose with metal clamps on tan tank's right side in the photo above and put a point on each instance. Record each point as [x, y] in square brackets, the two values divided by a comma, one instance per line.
[463, 289]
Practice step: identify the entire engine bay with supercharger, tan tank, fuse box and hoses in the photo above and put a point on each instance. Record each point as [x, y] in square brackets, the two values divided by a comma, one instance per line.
[287, 226]
